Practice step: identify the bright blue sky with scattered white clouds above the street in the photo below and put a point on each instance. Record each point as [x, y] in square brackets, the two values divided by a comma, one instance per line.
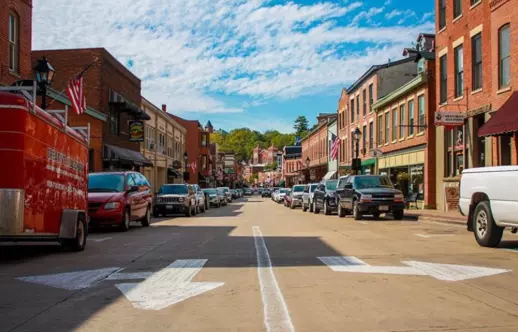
[239, 63]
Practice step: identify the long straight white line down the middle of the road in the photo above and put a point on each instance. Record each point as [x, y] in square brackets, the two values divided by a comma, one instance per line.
[276, 315]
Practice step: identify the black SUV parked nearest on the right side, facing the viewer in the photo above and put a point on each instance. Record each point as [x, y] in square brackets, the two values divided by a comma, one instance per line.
[369, 194]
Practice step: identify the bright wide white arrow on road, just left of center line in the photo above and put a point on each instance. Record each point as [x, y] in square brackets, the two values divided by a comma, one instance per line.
[168, 286]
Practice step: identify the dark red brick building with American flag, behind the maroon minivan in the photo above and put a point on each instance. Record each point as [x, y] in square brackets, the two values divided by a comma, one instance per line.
[113, 91]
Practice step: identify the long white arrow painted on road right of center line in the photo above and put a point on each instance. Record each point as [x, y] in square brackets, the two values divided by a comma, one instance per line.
[446, 272]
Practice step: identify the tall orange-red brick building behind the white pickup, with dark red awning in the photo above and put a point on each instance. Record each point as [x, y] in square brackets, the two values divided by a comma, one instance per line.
[474, 74]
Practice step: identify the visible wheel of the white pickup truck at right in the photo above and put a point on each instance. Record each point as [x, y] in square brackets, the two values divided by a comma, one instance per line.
[487, 233]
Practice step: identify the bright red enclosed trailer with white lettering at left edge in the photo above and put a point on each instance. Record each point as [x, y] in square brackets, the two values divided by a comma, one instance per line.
[43, 174]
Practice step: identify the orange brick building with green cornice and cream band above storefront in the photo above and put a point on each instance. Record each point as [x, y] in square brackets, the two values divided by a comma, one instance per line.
[406, 131]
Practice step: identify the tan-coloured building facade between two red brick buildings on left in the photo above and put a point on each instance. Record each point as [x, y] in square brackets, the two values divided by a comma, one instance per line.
[164, 146]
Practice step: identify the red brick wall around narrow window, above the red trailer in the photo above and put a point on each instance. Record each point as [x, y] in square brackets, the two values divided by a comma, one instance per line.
[23, 9]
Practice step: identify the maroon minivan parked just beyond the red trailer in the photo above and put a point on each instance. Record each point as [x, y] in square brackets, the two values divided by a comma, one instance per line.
[116, 198]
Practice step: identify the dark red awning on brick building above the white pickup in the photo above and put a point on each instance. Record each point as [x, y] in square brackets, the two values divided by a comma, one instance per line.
[504, 121]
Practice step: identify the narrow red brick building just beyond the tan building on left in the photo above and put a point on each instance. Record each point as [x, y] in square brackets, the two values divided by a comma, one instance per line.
[200, 163]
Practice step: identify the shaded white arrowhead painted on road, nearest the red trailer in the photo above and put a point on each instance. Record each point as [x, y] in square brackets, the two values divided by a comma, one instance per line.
[71, 280]
